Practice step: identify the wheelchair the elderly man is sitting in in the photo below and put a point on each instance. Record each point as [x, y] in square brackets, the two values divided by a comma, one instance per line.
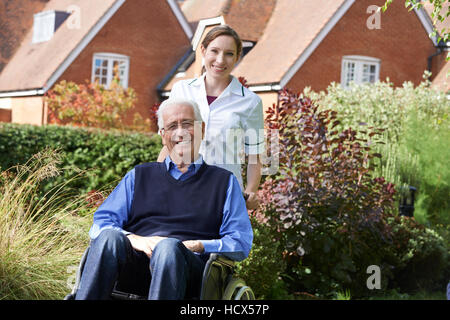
[218, 282]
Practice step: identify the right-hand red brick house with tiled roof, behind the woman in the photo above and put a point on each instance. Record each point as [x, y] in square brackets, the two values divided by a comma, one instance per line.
[302, 43]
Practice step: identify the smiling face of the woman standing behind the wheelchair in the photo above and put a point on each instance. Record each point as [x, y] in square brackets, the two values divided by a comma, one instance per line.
[220, 57]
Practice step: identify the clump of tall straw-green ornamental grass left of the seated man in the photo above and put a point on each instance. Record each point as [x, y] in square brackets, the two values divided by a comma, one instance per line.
[36, 248]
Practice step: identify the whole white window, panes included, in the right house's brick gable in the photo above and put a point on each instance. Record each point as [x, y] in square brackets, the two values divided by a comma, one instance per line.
[359, 69]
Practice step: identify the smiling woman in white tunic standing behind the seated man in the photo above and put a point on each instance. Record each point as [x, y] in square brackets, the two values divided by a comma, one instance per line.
[233, 114]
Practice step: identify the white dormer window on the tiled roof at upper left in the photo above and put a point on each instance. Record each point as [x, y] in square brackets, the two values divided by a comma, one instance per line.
[45, 24]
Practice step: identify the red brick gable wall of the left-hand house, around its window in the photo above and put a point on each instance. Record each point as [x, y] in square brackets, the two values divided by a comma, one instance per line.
[146, 31]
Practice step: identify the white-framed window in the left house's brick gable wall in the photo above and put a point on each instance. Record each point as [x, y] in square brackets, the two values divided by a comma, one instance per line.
[106, 65]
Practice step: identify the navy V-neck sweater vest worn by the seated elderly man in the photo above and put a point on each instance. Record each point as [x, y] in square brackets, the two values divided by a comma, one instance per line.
[186, 210]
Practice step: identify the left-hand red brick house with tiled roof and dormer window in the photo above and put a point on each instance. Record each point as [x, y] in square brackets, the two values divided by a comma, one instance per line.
[46, 41]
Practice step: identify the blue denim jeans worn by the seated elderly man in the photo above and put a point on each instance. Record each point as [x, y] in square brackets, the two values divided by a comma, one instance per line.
[172, 273]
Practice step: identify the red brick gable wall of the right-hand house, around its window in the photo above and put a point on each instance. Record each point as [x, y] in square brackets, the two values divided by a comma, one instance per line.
[402, 44]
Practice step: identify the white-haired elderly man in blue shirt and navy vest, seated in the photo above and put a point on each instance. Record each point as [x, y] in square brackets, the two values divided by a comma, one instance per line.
[157, 228]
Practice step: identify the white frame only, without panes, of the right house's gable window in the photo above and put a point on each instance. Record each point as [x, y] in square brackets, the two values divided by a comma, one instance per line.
[359, 62]
